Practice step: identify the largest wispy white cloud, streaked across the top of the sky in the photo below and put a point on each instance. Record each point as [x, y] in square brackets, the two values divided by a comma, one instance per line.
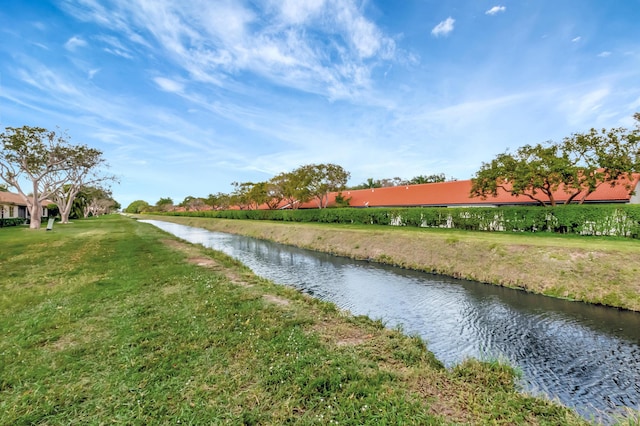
[214, 40]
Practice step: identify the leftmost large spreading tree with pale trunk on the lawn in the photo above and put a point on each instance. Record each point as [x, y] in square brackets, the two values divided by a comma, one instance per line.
[40, 157]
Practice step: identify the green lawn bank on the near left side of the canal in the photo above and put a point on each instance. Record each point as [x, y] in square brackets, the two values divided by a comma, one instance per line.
[110, 321]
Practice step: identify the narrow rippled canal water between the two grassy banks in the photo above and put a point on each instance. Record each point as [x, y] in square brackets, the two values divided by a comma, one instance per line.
[586, 356]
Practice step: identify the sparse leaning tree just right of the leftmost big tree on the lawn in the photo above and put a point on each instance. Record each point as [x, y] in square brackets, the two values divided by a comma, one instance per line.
[82, 171]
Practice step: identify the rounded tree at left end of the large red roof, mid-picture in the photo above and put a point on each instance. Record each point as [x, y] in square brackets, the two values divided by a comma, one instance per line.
[321, 179]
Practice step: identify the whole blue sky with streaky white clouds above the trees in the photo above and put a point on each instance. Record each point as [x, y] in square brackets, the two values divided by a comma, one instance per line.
[186, 96]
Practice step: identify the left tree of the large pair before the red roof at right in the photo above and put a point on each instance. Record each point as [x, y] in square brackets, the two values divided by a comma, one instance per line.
[530, 171]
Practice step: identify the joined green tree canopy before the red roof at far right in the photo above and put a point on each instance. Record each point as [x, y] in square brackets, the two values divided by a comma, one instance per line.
[578, 165]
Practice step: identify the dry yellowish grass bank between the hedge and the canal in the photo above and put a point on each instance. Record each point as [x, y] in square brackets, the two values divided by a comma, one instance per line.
[596, 270]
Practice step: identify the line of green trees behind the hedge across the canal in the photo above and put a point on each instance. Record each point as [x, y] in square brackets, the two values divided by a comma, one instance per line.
[579, 165]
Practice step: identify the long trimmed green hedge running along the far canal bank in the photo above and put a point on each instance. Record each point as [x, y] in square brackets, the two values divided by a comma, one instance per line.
[604, 219]
